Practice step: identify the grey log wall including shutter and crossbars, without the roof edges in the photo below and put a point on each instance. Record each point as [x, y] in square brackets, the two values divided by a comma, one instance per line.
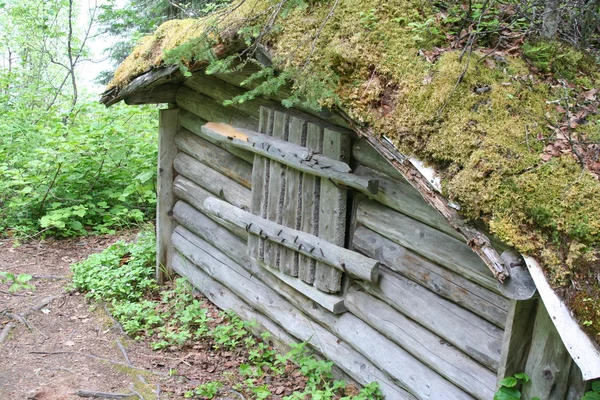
[427, 320]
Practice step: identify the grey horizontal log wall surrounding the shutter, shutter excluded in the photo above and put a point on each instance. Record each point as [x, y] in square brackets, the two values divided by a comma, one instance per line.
[432, 327]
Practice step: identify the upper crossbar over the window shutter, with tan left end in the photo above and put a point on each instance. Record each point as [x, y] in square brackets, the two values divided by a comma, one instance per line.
[292, 155]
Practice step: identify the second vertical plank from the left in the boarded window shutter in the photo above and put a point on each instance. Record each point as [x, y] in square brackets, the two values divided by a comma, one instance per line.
[276, 190]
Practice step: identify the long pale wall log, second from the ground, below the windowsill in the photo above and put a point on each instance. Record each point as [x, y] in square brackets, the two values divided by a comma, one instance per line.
[272, 305]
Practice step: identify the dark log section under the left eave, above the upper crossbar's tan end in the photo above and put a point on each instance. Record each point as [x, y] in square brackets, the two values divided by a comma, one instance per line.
[212, 110]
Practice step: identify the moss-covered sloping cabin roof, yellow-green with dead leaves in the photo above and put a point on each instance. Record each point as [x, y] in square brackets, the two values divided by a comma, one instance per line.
[516, 148]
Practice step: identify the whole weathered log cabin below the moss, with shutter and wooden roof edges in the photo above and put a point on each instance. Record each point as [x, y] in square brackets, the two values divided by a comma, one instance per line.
[325, 232]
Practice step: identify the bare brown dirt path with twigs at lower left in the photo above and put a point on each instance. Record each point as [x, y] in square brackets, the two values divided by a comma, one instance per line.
[65, 345]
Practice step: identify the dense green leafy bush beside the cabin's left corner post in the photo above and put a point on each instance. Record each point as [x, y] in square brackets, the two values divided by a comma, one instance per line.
[68, 174]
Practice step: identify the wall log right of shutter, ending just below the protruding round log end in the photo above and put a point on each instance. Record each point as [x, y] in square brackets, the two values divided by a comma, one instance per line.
[426, 241]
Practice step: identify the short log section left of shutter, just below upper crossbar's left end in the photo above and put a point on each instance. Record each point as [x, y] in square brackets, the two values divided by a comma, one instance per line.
[215, 157]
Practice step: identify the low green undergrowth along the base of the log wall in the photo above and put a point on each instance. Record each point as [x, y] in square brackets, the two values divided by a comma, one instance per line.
[172, 317]
